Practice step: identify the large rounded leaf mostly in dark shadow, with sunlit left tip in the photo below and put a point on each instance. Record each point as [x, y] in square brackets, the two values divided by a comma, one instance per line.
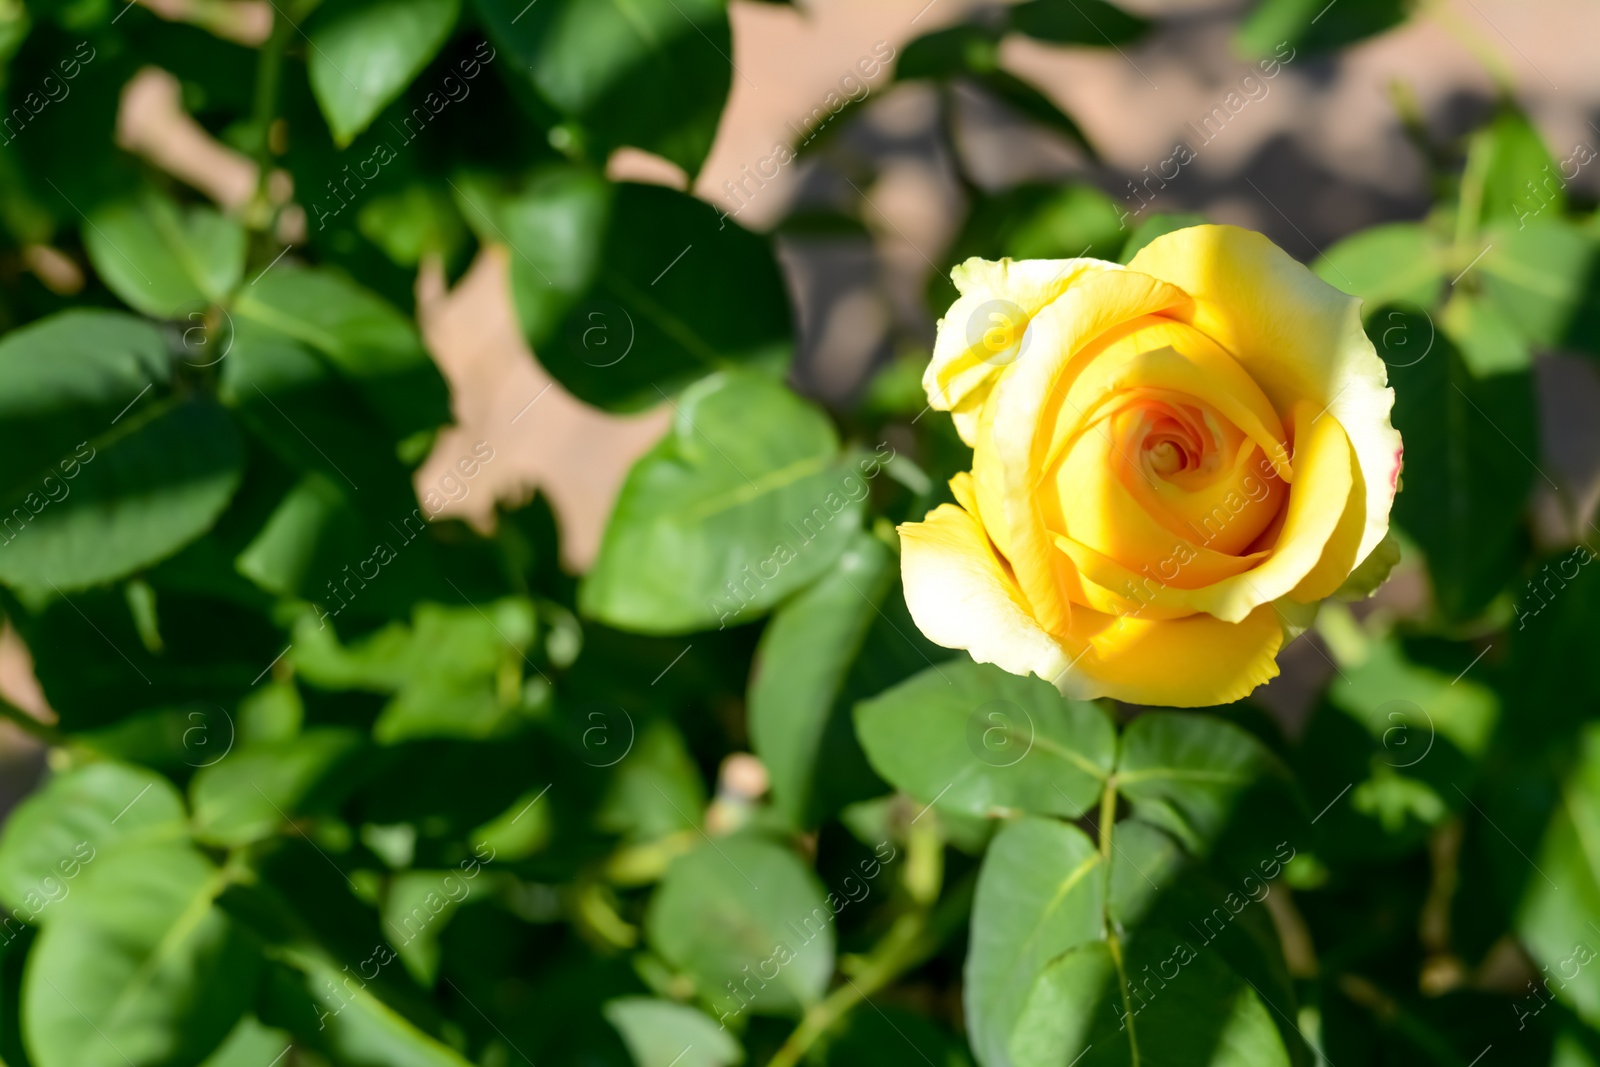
[610, 286]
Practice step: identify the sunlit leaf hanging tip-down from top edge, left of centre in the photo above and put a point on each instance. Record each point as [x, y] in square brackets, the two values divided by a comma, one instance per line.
[364, 55]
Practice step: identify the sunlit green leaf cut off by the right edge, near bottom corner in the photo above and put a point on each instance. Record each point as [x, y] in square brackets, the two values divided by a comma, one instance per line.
[1561, 905]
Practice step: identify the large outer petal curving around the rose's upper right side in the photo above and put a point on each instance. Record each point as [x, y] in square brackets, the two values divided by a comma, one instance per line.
[1297, 335]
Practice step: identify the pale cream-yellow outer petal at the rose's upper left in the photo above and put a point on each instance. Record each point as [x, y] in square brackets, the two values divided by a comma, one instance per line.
[999, 298]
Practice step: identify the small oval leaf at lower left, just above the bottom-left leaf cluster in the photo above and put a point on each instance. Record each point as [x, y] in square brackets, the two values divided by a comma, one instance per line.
[258, 791]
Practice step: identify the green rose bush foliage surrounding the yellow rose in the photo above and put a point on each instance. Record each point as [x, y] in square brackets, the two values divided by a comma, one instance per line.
[338, 783]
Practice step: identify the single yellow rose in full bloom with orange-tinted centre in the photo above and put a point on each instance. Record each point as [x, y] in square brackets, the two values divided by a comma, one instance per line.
[1174, 463]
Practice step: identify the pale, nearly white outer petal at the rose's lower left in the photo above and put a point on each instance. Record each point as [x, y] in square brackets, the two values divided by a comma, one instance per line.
[962, 596]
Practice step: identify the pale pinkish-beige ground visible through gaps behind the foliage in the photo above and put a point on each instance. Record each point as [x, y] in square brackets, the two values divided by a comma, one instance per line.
[1319, 156]
